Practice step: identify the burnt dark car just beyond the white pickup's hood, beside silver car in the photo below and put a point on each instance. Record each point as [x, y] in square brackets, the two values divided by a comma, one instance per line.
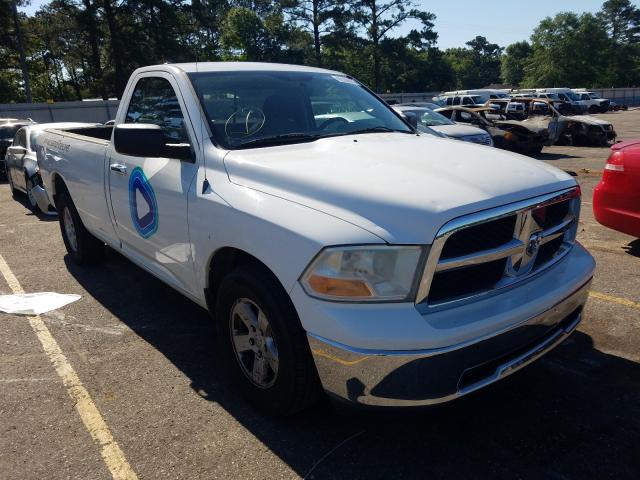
[506, 133]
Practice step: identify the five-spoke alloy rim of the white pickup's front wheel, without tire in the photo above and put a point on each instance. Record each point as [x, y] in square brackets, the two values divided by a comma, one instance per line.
[253, 343]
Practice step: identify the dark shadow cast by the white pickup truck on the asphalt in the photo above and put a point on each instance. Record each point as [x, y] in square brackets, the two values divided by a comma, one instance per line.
[574, 414]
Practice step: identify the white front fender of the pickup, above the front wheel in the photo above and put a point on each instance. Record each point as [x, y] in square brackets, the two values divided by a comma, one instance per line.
[283, 235]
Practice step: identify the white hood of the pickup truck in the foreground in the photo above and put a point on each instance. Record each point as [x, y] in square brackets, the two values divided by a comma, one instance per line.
[400, 187]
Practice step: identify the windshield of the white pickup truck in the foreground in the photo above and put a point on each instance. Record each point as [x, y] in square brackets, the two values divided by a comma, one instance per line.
[261, 108]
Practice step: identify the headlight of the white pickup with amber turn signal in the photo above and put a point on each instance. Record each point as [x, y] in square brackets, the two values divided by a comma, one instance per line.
[364, 273]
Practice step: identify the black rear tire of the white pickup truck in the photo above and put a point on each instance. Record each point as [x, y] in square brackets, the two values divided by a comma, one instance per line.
[86, 249]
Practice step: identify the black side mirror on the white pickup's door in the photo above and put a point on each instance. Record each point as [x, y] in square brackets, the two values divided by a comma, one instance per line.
[148, 140]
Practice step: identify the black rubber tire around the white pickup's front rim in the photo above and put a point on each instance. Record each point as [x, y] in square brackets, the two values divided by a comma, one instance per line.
[296, 385]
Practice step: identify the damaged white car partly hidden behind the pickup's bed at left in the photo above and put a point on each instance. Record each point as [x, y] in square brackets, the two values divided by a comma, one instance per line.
[22, 165]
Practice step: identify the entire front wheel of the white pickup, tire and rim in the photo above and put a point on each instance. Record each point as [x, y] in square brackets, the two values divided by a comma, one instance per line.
[263, 346]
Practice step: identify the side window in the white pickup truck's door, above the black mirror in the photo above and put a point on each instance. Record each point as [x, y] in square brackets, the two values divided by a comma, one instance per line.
[154, 101]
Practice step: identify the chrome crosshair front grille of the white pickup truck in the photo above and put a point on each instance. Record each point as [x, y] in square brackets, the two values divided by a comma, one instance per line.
[489, 250]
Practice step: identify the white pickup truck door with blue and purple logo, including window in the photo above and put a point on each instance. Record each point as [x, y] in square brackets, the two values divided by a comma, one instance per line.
[149, 196]
